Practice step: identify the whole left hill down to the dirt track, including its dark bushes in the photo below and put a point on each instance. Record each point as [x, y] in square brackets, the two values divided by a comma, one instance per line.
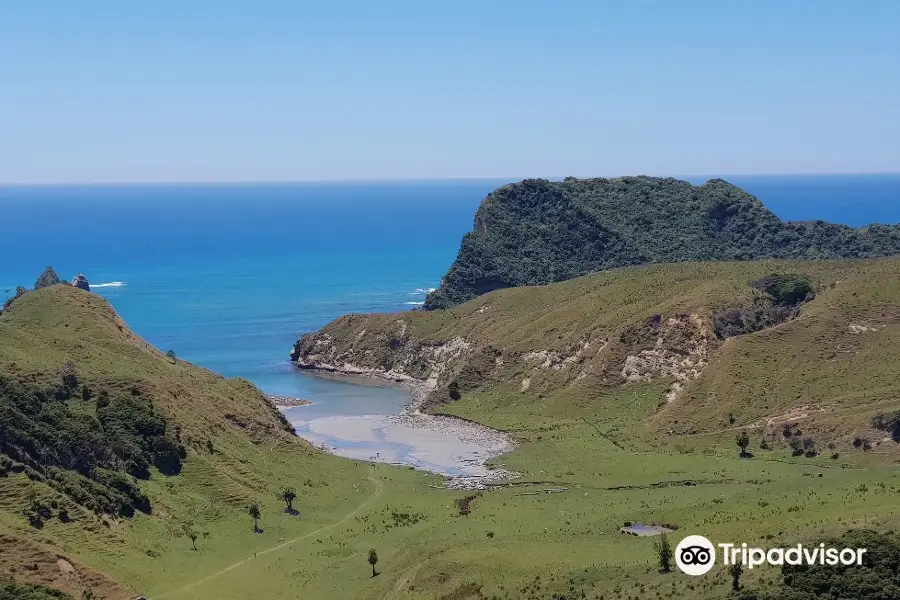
[112, 453]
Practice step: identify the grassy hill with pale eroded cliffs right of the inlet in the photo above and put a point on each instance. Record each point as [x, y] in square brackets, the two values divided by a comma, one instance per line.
[722, 352]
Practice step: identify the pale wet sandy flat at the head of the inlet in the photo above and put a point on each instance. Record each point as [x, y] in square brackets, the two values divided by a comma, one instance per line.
[451, 447]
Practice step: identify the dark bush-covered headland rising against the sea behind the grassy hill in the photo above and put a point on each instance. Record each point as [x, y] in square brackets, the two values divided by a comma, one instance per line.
[537, 232]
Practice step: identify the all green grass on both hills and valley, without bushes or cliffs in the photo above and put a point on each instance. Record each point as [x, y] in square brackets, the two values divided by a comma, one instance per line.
[607, 445]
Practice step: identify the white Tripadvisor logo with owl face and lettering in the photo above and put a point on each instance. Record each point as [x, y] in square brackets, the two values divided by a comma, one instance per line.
[696, 555]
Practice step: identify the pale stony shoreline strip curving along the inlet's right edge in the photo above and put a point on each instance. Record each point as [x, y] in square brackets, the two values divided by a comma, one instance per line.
[493, 442]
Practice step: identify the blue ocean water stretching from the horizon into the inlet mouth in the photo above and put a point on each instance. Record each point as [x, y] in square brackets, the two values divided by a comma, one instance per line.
[228, 276]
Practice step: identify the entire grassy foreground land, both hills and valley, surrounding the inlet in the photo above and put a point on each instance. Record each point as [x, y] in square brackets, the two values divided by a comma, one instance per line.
[581, 374]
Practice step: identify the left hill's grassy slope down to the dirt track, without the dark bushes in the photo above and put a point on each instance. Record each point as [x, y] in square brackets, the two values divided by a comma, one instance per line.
[238, 452]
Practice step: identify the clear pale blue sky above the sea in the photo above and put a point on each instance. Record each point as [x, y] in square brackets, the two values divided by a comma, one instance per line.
[221, 90]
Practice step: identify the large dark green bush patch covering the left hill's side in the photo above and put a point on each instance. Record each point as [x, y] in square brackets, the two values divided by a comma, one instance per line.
[91, 452]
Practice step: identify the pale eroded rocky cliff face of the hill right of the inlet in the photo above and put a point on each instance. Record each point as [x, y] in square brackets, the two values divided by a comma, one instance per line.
[675, 347]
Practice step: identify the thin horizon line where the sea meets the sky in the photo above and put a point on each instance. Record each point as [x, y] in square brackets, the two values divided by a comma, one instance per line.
[388, 180]
